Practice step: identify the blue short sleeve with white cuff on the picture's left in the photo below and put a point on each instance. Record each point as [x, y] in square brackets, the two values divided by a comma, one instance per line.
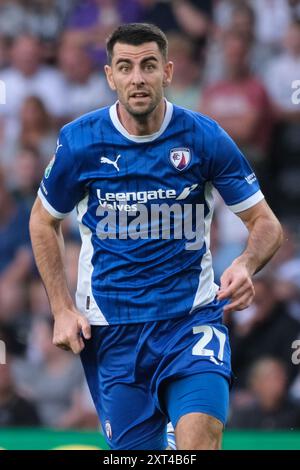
[61, 188]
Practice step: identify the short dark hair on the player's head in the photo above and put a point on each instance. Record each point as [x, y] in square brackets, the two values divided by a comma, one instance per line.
[136, 34]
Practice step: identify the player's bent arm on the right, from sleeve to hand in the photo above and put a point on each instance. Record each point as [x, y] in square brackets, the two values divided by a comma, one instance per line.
[265, 237]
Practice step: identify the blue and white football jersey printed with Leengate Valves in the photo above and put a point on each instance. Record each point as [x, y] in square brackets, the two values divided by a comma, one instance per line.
[144, 206]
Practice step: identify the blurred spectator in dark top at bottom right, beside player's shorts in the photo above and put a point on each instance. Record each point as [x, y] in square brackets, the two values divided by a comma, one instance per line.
[271, 408]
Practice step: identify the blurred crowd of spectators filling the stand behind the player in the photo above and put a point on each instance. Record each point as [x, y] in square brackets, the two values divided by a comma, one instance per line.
[236, 61]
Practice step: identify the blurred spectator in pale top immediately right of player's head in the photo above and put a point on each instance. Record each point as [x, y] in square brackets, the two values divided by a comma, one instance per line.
[185, 87]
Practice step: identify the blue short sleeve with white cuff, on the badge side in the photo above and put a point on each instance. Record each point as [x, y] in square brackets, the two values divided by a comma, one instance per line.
[232, 175]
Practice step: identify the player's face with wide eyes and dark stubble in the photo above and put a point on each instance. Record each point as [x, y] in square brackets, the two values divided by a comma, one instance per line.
[139, 75]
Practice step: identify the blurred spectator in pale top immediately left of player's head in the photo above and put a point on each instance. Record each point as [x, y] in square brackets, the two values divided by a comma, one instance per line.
[85, 88]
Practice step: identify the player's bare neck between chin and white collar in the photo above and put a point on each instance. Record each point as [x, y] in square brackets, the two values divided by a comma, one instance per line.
[142, 125]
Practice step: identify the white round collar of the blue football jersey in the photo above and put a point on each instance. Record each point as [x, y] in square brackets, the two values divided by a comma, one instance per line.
[143, 138]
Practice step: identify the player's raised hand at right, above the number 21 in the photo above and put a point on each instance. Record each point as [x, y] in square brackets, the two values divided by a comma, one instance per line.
[236, 285]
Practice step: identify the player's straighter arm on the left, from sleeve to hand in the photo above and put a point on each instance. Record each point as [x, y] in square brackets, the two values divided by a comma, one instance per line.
[48, 246]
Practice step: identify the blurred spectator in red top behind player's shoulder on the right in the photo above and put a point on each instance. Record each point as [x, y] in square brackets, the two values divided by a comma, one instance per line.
[240, 102]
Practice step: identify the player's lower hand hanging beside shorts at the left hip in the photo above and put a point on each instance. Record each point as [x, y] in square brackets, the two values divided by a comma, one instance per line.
[69, 327]
